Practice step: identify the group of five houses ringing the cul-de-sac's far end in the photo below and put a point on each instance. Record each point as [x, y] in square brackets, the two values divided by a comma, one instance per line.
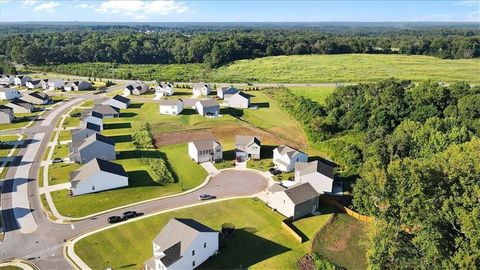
[293, 199]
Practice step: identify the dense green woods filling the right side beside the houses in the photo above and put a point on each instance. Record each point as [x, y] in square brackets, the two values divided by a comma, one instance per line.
[417, 166]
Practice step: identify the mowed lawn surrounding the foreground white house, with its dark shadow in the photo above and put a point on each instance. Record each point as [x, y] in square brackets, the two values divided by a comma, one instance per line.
[258, 243]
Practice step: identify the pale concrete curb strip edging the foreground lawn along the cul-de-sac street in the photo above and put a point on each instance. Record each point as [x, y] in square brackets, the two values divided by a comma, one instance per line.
[78, 263]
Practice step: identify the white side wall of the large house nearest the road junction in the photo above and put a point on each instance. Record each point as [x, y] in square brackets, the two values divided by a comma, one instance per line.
[99, 182]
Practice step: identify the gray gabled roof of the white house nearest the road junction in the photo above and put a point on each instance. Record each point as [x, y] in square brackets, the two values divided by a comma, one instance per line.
[94, 166]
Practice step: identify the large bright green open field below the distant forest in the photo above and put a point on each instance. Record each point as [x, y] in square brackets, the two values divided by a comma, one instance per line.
[348, 68]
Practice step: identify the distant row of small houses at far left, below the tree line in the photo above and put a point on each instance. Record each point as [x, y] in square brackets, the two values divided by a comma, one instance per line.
[45, 84]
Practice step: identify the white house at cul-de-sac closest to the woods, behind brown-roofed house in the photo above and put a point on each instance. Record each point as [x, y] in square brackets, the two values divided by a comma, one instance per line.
[317, 173]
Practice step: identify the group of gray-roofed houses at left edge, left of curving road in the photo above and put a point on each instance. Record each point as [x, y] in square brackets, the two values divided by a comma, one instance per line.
[19, 103]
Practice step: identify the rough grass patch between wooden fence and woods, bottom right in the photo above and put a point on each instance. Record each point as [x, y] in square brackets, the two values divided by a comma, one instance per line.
[343, 241]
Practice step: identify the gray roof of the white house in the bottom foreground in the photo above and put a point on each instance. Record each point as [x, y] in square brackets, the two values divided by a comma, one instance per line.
[177, 236]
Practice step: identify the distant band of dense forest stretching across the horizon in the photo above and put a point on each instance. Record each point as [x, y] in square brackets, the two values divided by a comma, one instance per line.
[217, 46]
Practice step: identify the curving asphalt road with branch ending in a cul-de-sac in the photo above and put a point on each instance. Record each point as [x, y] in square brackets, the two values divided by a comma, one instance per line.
[44, 245]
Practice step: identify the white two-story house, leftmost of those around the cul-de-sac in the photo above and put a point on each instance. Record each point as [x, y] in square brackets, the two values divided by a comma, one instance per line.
[205, 151]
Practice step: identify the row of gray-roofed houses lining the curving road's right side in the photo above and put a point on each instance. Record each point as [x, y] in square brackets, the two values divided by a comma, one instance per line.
[95, 151]
